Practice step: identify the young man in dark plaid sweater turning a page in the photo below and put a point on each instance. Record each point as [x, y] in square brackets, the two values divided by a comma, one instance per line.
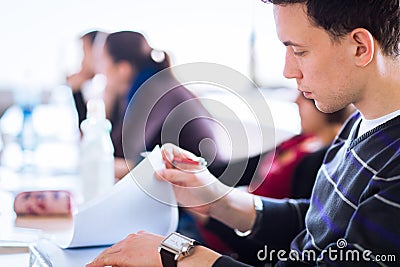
[339, 52]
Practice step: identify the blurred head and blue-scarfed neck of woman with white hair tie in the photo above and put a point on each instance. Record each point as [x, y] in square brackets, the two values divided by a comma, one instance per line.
[129, 62]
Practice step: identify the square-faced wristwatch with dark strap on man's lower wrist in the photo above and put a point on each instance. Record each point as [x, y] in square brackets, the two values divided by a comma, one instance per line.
[174, 247]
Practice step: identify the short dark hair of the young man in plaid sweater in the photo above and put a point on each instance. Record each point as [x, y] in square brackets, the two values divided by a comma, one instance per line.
[339, 17]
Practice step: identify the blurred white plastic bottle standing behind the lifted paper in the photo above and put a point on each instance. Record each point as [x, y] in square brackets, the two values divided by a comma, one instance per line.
[97, 152]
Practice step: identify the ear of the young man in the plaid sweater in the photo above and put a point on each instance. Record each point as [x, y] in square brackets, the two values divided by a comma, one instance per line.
[364, 46]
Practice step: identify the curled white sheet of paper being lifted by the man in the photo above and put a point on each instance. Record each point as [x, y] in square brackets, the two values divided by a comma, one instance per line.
[138, 202]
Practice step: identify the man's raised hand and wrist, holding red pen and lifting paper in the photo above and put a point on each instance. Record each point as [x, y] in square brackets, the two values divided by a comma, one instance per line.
[198, 189]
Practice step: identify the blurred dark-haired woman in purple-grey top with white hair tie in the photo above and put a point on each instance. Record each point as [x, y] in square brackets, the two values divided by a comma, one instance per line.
[152, 107]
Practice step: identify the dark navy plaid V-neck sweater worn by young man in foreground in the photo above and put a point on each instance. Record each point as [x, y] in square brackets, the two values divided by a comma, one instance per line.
[353, 216]
